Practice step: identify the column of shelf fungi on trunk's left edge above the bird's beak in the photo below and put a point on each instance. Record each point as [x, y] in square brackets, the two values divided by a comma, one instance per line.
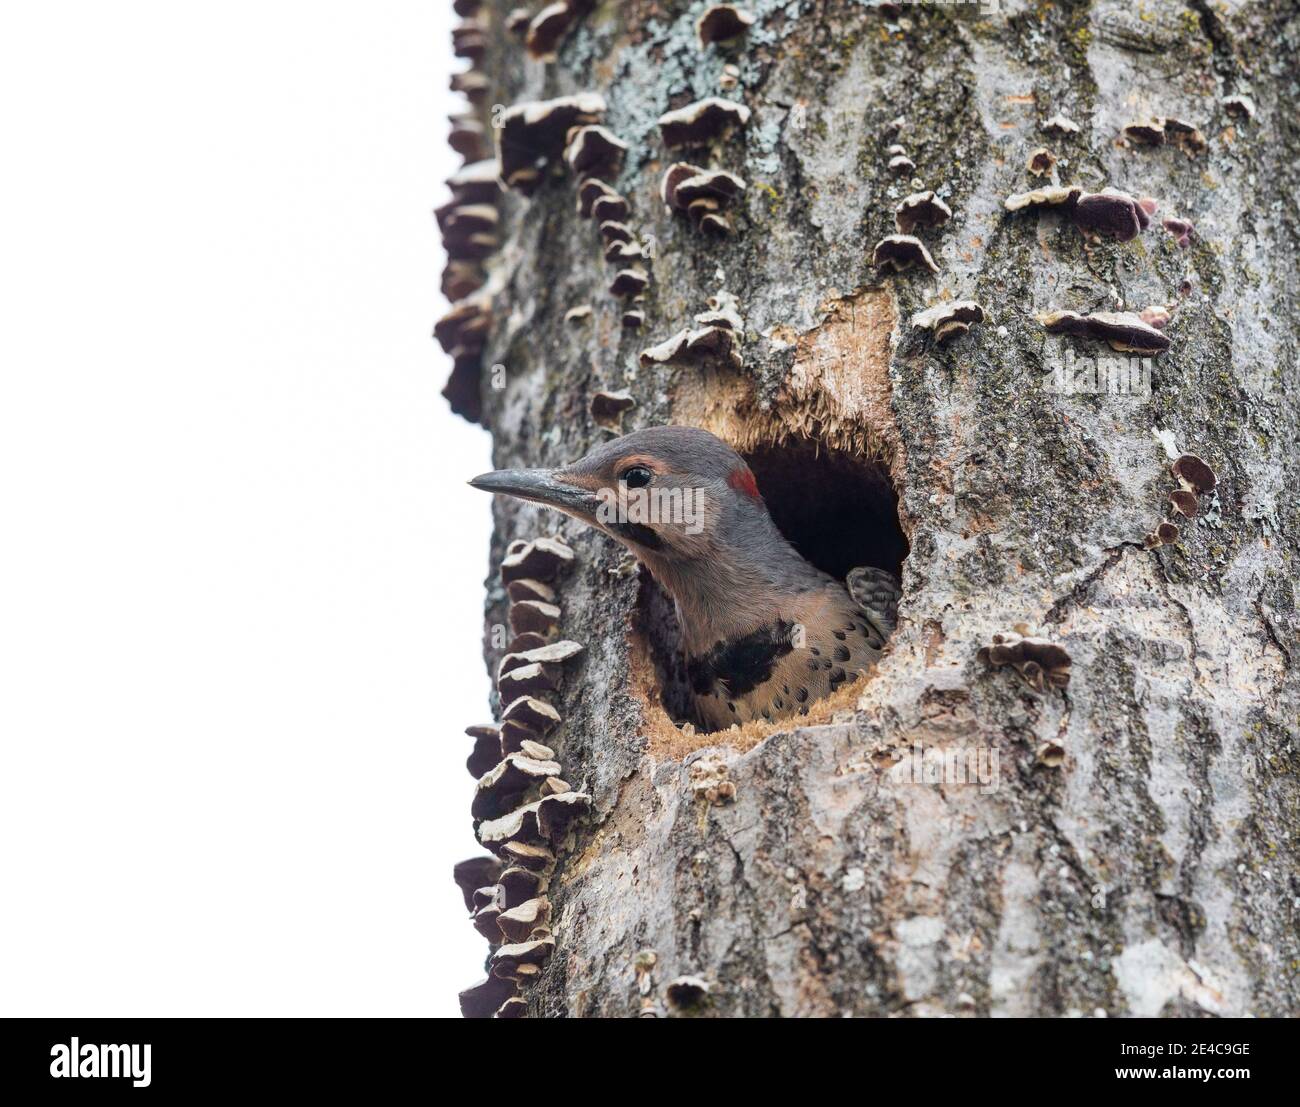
[469, 224]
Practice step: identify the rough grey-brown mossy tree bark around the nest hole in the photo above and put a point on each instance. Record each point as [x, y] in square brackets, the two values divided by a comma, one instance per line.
[1155, 870]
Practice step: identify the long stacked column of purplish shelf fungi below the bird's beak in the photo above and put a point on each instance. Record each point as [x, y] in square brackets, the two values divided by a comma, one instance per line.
[522, 805]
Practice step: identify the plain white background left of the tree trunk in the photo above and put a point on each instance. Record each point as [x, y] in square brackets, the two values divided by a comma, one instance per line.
[240, 566]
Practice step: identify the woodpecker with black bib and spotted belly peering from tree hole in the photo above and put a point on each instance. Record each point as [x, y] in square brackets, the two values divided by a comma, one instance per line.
[765, 632]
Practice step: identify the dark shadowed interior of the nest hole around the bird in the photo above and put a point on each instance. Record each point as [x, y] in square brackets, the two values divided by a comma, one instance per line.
[839, 513]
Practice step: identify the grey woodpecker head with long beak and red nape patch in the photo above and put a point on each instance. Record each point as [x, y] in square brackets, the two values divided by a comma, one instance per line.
[669, 493]
